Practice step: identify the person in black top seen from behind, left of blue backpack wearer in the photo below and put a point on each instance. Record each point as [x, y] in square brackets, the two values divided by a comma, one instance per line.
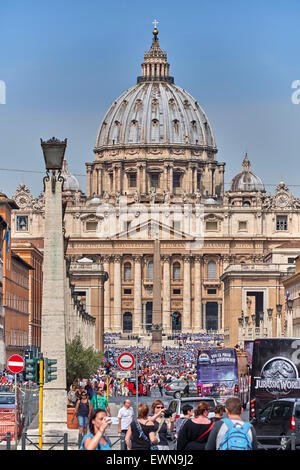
[194, 433]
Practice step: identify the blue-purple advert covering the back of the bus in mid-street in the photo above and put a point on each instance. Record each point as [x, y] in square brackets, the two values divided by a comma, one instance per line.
[217, 372]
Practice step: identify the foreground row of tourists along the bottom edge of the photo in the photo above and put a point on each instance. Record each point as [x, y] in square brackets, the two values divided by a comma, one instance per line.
[154, 429]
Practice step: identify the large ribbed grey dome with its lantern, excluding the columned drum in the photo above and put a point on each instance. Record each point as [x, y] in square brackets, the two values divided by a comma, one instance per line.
[155, 111]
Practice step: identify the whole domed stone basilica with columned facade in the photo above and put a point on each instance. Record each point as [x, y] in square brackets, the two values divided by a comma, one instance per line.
[155, 176]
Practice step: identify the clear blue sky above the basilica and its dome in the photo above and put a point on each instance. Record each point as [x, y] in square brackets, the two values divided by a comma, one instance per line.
[64, 62]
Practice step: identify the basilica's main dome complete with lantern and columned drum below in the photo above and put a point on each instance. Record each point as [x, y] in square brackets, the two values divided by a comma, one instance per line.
[155, 135]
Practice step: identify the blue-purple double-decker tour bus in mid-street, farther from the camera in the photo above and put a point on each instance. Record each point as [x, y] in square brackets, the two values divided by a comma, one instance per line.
[223, 373]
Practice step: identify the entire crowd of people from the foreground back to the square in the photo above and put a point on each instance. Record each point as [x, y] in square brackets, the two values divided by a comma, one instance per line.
[154, 427]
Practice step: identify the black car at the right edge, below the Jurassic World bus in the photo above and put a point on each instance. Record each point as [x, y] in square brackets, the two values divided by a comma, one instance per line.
[280, 417]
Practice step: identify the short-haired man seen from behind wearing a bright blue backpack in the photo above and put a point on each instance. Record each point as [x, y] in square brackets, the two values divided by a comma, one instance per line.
[232, 433]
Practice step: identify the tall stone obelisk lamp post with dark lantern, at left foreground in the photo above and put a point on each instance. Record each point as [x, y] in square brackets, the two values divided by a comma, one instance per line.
[53, 332]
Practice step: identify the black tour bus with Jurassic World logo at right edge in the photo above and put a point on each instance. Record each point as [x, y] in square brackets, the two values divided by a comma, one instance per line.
[275, 371]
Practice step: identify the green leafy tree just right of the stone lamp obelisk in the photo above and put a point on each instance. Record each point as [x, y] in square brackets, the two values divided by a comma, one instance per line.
[81, 362]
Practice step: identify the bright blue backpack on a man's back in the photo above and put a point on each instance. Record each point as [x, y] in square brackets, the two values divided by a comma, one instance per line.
[237, 437]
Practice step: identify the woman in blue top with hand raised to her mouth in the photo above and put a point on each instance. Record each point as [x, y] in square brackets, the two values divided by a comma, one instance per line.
[95, 439]
